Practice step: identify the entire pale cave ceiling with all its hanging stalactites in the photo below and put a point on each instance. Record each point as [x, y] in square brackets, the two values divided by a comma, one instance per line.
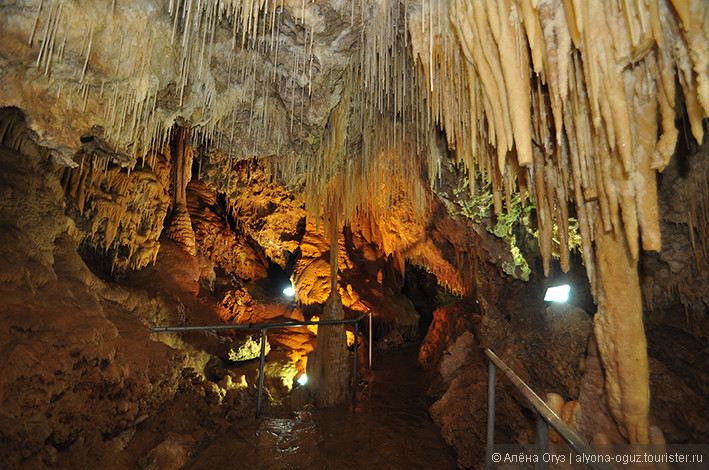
[569, 104]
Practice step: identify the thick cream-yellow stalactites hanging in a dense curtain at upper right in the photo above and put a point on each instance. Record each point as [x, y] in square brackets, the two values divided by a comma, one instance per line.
[569, 94]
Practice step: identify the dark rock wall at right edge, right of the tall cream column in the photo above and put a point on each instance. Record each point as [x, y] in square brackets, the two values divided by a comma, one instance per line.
[675, 287]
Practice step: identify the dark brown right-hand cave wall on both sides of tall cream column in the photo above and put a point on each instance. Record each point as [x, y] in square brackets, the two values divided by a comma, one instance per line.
[554, 349]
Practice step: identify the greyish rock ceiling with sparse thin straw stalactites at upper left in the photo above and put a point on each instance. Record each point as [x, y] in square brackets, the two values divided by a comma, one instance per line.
[121, 68]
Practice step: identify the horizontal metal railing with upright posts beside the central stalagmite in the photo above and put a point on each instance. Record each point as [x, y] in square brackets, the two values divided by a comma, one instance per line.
[266, 326]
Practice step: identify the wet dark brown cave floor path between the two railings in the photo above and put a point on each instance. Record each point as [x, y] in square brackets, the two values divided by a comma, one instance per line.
[390, 428]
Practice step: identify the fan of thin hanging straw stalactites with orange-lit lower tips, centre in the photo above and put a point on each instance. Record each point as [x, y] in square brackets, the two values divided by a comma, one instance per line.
[380, 132]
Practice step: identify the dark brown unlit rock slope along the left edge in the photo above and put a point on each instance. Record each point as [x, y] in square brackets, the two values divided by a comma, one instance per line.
[78, 363]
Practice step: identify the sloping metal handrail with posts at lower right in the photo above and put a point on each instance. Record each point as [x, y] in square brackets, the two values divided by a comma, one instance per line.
[545, 417]
